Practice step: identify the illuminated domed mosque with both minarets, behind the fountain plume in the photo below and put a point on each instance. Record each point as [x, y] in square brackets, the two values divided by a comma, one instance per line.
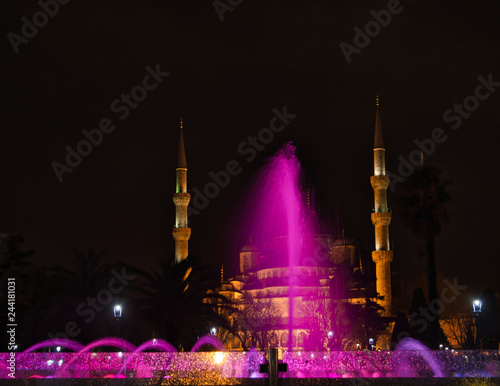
[262, 288]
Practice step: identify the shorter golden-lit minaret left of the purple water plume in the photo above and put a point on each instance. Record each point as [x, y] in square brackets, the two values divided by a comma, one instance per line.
[181, 231]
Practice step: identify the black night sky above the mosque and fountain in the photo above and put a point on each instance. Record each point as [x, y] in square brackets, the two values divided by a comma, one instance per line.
[225, 79]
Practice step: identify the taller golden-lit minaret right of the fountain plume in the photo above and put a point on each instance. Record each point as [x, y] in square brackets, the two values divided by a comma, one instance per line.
[381, 218]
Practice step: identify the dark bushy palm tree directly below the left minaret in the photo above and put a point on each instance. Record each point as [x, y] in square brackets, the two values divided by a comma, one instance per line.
[180, 302]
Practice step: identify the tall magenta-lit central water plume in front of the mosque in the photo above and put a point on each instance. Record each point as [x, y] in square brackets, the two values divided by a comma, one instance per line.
[278, 220]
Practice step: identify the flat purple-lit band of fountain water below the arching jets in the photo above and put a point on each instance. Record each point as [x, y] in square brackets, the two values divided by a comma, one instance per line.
[212, 367]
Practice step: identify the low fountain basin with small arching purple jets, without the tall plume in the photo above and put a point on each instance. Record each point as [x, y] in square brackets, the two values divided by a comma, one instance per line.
[410, 360]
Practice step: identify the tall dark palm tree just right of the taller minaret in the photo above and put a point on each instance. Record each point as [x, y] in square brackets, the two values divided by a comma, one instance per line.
[424, 207]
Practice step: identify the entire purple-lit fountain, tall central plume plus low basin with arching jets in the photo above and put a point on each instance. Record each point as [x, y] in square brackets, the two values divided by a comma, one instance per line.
[282, 222]
